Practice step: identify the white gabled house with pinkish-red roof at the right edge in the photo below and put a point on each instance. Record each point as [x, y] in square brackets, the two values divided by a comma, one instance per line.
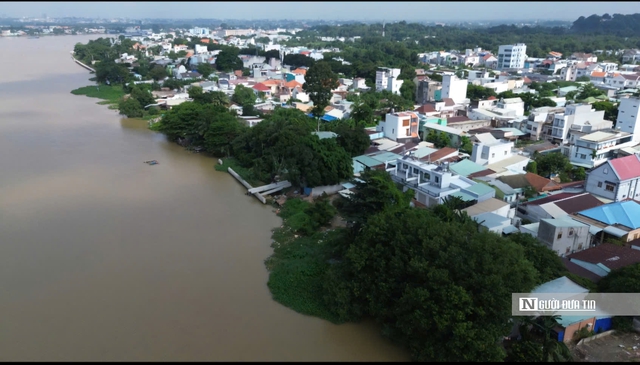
[616, 180]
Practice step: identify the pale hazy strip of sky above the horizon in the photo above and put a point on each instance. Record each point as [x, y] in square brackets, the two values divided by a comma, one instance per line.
[390, 11]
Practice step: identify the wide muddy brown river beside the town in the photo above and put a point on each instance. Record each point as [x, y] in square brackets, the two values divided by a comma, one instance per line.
[103, 257]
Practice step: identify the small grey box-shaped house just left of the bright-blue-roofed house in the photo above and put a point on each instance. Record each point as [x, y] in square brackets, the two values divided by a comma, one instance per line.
[564, 235]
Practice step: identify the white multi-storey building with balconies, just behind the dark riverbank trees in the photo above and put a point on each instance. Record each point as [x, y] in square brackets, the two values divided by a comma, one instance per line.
[432, 183]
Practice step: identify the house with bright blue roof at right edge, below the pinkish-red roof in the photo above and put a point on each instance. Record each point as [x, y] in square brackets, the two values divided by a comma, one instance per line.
[620, 220]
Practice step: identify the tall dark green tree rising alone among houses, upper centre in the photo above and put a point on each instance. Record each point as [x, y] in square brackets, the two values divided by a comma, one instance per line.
[319, 82]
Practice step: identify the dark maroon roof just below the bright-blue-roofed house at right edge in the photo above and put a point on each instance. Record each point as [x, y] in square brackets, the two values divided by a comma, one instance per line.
[609, 255]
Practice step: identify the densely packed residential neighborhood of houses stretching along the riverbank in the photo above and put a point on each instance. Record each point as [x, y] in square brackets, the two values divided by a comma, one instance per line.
[546, 148]
